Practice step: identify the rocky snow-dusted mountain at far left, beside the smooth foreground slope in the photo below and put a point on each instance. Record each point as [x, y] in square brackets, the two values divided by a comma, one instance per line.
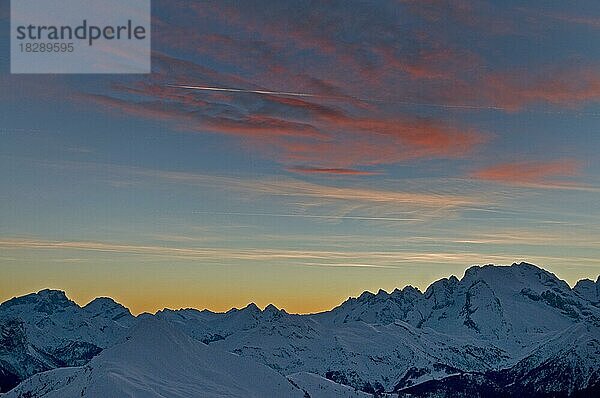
[46, 330]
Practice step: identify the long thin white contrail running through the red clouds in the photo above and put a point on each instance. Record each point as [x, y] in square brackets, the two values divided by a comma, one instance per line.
[401, 102]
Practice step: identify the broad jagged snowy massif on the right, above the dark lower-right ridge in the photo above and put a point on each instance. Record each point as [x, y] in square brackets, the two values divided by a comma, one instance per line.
[491, 319]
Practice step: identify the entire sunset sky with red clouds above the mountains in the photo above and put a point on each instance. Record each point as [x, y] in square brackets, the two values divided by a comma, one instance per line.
[430, 135]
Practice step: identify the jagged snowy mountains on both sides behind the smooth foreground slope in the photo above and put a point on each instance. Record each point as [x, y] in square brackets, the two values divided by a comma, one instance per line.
[497, 330]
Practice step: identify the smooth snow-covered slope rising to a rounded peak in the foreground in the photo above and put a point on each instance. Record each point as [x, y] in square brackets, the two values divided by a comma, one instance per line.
[156, 360]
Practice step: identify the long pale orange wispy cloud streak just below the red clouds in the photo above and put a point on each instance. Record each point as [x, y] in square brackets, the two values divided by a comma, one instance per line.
[417, 197]
